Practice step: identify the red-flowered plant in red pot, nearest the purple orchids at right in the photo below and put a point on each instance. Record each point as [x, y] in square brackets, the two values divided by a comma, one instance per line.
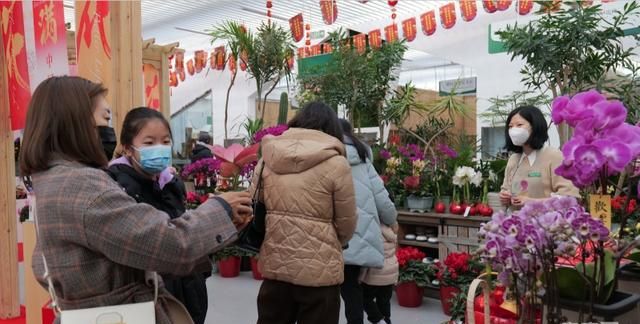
[454, 277]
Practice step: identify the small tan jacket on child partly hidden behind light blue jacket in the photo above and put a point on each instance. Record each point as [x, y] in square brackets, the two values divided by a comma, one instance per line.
[388, 275]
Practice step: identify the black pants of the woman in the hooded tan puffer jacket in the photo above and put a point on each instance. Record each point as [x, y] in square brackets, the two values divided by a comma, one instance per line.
[284, 303]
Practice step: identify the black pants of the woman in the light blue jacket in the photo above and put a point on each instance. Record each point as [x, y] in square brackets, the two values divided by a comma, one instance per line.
[351, 291]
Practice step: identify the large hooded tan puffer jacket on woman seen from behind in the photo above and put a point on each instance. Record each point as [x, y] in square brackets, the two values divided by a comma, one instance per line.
[311, 211]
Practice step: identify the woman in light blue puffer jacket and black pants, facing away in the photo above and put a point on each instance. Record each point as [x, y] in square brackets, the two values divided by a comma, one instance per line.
[374, 207]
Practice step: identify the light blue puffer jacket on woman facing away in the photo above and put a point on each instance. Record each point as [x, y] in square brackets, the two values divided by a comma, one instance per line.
[373, 206]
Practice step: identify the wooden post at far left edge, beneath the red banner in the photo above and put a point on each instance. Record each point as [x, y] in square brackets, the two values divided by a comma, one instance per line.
[9, 293]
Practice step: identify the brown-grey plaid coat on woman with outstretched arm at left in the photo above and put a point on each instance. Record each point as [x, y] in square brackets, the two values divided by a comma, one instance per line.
[98, 241]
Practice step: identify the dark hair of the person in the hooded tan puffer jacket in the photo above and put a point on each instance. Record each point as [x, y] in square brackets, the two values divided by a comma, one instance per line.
[318, 116]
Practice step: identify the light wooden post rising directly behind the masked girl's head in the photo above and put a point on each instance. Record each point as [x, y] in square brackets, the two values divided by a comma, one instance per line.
[126, 36]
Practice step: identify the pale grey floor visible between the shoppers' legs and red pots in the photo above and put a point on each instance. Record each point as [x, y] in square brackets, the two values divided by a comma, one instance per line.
[233, 301]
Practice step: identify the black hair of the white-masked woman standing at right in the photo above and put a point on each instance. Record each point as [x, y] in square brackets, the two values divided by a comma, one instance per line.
[538, 123]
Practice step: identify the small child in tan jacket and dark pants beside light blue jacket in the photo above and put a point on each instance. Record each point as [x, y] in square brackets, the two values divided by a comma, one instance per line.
[377, 284]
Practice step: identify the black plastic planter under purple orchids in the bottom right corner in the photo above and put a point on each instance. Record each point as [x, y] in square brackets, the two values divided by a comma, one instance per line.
[619, 304]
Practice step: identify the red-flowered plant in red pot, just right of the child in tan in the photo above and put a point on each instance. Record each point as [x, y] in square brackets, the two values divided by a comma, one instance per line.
[413, 277]
